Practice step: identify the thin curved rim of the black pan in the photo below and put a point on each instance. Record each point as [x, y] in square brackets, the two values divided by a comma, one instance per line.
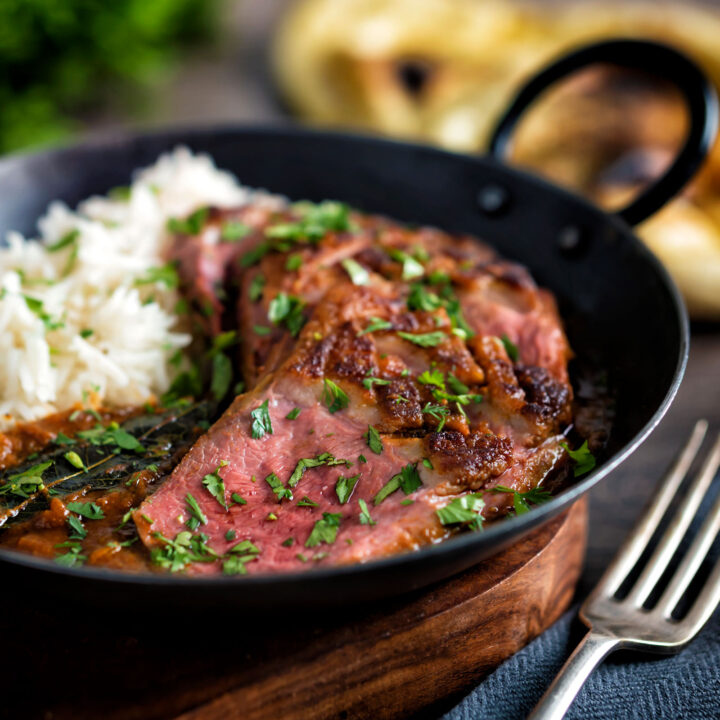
[494, 535]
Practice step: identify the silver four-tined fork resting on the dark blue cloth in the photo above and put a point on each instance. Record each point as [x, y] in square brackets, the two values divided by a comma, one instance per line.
[624, 623]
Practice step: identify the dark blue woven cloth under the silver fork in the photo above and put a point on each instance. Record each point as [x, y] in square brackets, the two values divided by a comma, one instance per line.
[627, 686]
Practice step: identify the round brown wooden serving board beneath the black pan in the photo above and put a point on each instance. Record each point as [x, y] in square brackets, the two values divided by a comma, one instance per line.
[412, 656]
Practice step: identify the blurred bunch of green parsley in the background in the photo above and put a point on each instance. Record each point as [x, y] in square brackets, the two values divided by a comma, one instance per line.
[64, 59]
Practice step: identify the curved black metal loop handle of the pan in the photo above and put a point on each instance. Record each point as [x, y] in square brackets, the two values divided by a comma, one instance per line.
[698, 92]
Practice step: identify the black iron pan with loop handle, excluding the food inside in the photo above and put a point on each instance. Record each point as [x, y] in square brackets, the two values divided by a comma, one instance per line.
[620, 307]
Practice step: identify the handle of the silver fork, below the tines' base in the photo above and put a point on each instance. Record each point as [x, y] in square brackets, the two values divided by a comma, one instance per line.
[569, 681]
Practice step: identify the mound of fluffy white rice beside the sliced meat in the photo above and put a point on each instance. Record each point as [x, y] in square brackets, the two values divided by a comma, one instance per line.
[135, 333]
